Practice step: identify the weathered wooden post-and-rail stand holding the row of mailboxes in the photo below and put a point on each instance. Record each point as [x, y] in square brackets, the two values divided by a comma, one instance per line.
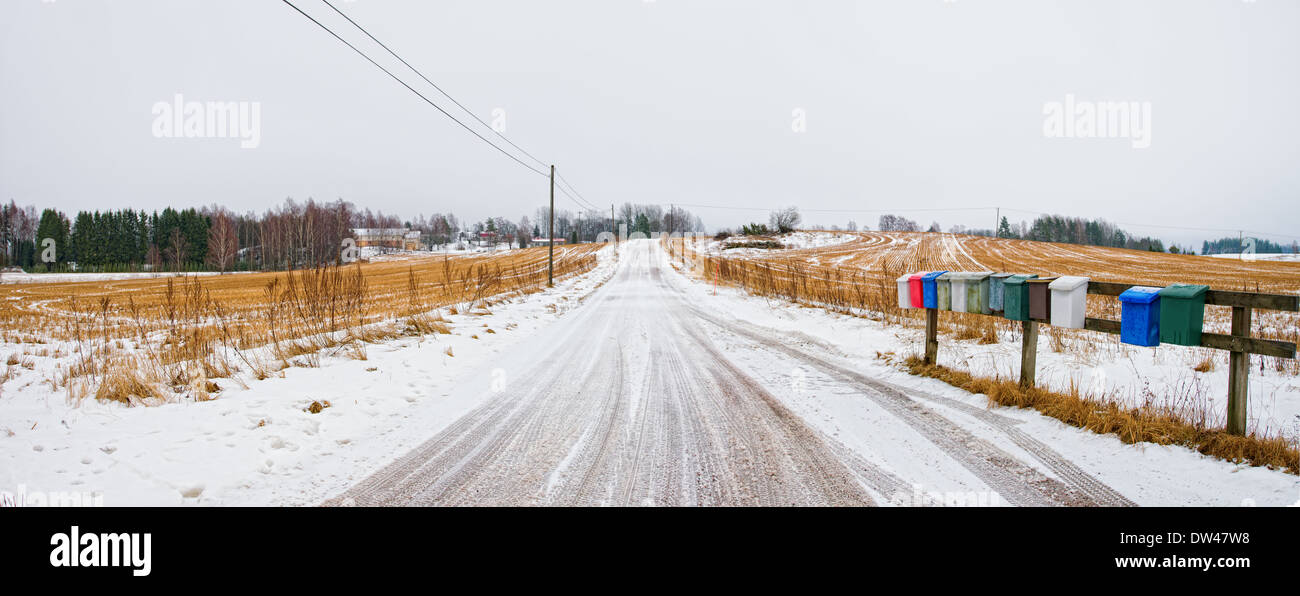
[1240, 344]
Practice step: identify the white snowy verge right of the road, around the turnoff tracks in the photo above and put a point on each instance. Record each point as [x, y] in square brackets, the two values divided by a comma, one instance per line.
[1147, 474]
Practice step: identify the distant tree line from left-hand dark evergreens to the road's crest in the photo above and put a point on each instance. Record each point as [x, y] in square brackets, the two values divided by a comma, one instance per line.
[292, 235]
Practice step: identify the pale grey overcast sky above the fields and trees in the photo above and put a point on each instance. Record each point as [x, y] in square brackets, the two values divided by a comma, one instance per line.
[909, 105]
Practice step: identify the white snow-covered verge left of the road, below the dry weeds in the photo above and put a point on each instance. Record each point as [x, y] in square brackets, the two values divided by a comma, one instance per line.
[262, 446]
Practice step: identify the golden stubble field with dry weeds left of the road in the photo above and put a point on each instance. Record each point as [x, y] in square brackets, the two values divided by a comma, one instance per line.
[146, 340]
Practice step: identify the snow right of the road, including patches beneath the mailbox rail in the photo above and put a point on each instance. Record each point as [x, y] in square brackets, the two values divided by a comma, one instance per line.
[1147, 474]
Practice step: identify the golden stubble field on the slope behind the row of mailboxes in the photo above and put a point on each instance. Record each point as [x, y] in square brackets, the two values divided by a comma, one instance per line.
[859, 277]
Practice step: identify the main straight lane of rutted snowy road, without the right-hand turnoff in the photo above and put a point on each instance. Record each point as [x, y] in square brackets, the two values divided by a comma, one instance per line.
[601, 426]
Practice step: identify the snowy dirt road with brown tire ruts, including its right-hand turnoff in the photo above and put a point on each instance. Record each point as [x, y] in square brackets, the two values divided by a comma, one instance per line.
[635, 399]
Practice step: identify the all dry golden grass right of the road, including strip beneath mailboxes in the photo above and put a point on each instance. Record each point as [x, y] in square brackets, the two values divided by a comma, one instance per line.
[860, 277]
